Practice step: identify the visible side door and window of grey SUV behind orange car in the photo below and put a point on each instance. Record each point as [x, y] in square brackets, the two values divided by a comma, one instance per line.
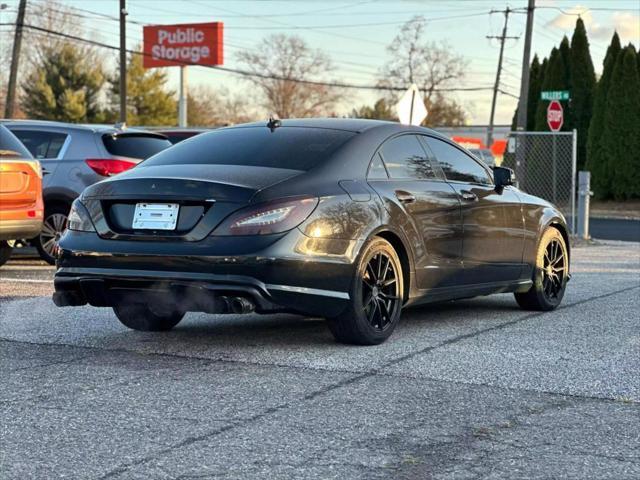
[46, 146]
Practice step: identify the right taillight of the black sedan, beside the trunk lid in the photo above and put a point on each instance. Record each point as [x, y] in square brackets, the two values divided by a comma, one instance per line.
[271, 217]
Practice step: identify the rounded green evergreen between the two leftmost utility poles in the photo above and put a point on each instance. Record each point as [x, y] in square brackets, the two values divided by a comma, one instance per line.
[64, 85]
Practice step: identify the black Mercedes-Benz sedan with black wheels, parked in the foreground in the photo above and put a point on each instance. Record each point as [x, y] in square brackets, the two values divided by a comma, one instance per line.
[350, 220]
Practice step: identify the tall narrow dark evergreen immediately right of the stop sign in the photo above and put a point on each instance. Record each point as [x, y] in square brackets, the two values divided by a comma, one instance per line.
[583, 81]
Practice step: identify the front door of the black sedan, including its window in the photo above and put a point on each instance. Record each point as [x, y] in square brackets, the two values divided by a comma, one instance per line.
[493, 227]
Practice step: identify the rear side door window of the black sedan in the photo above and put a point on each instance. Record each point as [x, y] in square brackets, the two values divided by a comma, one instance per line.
[405, 158]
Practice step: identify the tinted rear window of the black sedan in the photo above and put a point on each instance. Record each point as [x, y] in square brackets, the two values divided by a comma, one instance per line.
[294, 148]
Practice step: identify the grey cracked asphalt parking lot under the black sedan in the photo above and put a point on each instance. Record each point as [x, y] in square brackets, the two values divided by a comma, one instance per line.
[469, 389]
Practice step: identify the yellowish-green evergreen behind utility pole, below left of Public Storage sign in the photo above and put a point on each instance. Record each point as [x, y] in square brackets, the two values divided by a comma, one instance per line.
[148, 101]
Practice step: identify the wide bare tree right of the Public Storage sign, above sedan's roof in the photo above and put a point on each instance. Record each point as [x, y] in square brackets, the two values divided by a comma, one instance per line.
[286, 59]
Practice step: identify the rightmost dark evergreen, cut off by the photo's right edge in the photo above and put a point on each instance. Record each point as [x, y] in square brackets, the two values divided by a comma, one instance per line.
[620, 138]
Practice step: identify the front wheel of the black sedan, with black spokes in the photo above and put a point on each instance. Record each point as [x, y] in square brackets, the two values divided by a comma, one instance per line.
[550, 275]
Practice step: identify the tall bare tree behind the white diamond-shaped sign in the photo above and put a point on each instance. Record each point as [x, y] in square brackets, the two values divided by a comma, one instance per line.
[432, 66]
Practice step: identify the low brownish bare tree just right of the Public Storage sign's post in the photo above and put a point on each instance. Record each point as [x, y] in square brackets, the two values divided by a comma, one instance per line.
[213, 108]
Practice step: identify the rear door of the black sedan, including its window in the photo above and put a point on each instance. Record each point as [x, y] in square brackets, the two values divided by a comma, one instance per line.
[402, 173]
